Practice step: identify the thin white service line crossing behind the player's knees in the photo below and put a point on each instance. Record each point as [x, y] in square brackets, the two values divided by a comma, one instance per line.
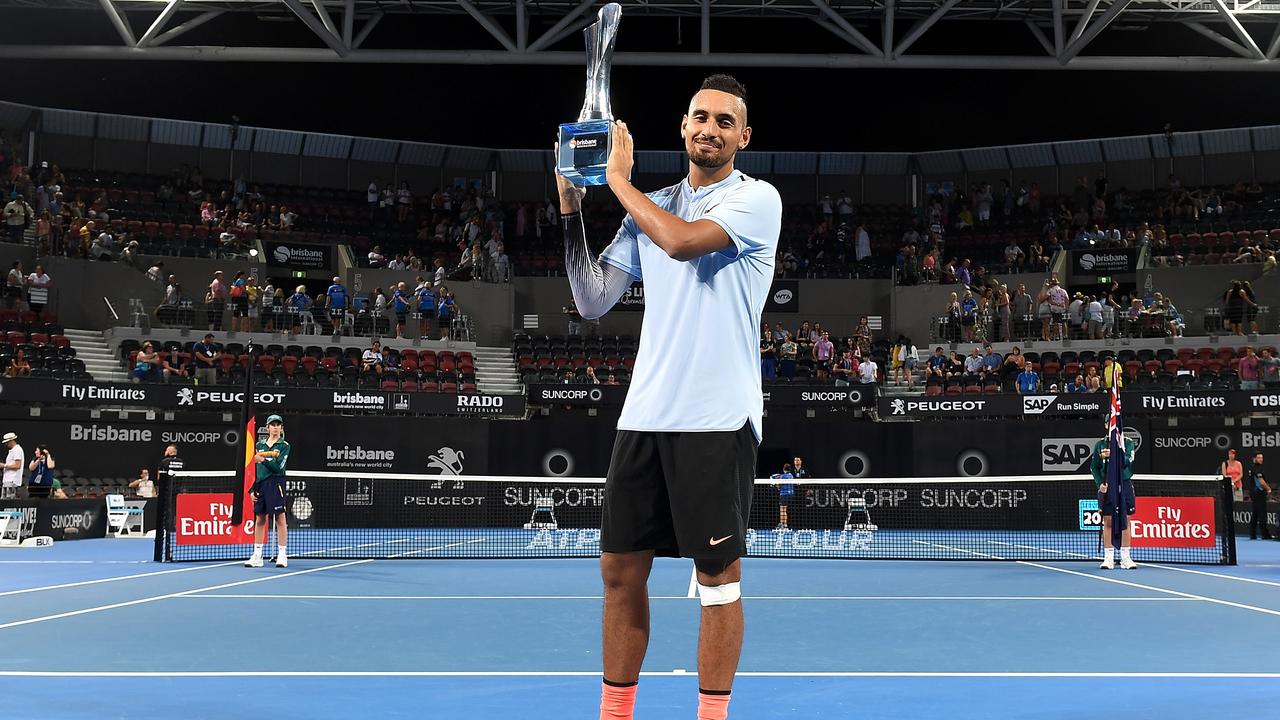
[792, 598]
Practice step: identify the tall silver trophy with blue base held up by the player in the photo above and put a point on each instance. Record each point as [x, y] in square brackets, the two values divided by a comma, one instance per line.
[584, 147]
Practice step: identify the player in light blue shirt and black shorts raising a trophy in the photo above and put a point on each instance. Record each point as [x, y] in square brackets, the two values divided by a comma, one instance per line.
[682, 475]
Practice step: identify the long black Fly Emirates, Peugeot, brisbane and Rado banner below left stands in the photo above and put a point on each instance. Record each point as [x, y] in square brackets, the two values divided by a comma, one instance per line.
[195, 398]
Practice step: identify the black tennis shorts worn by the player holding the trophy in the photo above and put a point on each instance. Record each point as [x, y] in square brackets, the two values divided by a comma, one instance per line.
[680, 494]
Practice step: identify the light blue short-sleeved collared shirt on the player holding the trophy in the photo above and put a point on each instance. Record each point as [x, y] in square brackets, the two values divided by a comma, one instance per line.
[698, 368]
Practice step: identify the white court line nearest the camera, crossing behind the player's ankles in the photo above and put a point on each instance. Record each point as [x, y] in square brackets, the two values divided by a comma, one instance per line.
[595, 675]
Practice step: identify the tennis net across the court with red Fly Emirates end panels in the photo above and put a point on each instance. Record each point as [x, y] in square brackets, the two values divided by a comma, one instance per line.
[380, 516]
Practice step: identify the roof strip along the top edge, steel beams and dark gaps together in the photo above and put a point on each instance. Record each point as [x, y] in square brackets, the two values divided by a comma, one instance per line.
[1118, 35]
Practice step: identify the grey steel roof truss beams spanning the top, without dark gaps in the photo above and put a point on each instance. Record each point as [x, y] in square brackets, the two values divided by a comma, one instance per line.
[346, 31]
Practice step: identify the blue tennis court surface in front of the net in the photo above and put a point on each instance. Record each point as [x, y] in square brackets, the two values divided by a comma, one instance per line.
[93, 630]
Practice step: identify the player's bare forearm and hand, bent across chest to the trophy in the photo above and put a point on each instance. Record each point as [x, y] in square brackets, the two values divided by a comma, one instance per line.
[680, 239]
